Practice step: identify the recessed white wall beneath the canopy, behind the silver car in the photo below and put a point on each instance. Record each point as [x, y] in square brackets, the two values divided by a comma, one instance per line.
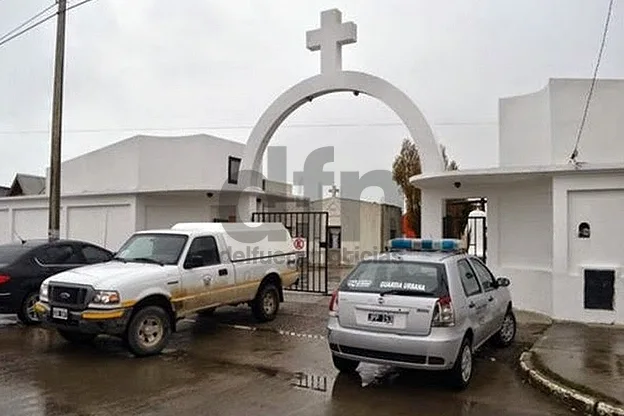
[519, 236]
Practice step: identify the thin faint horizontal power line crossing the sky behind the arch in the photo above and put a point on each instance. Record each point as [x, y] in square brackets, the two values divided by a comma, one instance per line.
[243, 127]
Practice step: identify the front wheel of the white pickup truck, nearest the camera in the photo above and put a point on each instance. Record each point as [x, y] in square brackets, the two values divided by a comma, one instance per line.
[148, 332]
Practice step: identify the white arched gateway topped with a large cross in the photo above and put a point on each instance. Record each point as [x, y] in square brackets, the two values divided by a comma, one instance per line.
[329, 40]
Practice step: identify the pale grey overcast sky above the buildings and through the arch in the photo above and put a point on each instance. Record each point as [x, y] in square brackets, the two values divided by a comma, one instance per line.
[189, 66]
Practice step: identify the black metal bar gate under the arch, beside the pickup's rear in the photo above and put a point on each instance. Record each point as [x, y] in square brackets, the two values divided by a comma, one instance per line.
[311, 226]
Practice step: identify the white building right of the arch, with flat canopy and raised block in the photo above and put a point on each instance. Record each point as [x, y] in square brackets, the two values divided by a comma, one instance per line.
[539, 206]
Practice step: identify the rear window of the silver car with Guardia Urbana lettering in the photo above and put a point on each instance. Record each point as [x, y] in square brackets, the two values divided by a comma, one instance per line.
[400, 277]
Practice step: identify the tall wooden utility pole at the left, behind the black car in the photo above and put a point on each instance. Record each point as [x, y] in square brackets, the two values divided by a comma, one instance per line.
[54, 210]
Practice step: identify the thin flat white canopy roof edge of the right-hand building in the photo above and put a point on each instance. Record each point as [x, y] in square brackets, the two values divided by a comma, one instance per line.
[506, 175]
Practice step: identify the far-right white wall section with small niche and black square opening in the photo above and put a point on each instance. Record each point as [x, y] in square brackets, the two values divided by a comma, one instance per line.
[596, 199]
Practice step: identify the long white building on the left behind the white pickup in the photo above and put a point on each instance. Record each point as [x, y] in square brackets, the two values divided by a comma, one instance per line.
[139, 183]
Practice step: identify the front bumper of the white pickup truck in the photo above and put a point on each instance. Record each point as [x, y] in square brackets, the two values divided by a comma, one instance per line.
[90, 321]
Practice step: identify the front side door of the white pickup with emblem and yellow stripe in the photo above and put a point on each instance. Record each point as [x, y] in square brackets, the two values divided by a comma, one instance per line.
[206, 281]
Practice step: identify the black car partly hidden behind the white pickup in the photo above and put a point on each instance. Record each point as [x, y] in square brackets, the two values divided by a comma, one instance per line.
[24, 266]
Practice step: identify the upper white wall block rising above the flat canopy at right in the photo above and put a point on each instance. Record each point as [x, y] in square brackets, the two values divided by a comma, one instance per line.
[541, 128]
